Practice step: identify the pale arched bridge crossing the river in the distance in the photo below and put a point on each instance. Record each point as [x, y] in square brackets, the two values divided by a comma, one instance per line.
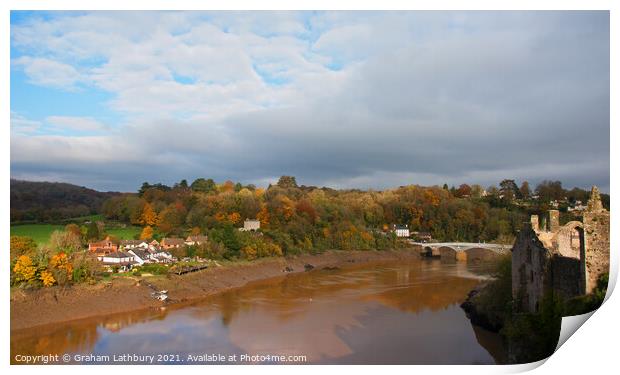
[462, 251]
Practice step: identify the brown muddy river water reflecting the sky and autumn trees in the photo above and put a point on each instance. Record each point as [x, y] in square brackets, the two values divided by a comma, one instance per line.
[382, 313]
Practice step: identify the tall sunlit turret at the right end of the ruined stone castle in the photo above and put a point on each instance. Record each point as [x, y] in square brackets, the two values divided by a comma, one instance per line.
[596, 237]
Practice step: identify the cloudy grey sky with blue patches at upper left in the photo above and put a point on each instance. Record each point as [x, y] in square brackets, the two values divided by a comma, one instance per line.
[343, 99]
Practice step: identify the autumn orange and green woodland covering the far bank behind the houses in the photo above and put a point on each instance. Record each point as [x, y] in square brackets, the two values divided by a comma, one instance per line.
[306, 218]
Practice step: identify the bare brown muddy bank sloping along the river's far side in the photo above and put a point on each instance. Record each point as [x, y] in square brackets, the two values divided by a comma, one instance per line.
[124, 294]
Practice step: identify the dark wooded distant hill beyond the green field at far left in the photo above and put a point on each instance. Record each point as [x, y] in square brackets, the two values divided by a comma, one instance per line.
[49, 202]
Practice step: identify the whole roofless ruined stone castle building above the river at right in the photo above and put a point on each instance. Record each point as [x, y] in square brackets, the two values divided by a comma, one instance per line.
[565, 260]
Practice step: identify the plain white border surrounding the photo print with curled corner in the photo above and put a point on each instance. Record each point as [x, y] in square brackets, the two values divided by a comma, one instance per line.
[591, 349]
